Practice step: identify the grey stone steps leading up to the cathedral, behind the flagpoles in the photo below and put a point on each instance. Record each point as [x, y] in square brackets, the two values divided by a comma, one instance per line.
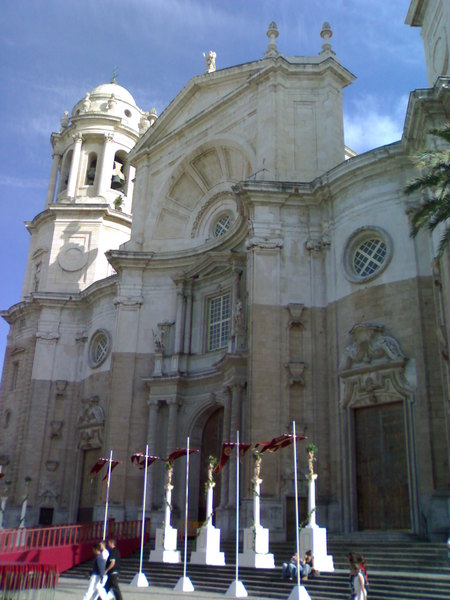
[399, 567]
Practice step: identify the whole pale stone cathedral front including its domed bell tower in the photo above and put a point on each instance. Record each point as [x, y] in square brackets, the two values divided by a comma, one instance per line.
[231, 266]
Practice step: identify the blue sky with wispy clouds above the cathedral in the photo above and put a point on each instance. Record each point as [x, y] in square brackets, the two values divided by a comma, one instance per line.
[53, 51]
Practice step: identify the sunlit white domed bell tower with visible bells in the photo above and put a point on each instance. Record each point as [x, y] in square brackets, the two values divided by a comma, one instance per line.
[89, 199]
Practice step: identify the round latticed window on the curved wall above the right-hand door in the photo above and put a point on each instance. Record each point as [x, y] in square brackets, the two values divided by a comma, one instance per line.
[367, 254]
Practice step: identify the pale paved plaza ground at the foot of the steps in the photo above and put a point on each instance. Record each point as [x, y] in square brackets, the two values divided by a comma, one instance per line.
[71, 588]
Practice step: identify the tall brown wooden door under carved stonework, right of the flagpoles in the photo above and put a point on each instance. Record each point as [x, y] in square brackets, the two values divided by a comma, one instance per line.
[381, 467]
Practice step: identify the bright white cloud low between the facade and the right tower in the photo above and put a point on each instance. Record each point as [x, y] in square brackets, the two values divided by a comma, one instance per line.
[368, 125]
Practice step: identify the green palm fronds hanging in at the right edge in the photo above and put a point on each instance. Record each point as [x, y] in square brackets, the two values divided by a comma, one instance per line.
[435, 179]
